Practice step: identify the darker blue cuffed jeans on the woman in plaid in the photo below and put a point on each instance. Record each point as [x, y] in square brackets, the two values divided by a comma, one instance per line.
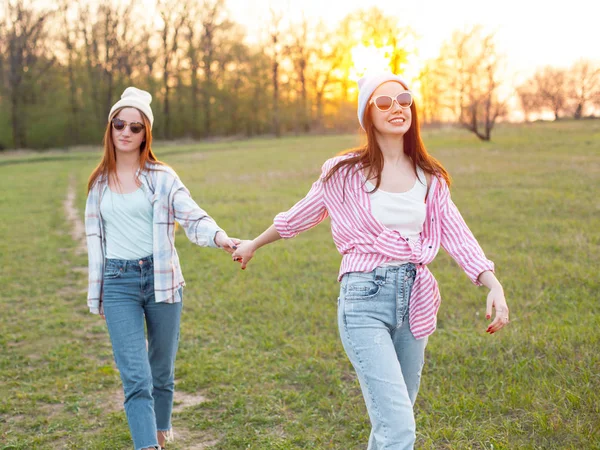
[148, 375]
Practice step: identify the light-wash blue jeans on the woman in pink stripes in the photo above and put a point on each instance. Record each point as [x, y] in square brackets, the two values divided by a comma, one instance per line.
[373, 324]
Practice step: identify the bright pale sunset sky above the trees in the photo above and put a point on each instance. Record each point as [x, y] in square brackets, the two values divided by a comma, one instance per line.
[531, 33]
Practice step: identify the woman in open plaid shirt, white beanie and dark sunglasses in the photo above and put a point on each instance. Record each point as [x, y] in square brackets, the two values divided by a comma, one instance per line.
[134, 272]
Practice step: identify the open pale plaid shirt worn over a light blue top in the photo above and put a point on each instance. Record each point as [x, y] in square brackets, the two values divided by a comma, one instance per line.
[171, 201]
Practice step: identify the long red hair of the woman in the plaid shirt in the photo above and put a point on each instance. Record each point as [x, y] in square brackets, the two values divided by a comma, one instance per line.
[108, 164]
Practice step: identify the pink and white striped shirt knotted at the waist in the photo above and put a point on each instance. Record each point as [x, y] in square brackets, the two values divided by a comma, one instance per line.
[365, 243]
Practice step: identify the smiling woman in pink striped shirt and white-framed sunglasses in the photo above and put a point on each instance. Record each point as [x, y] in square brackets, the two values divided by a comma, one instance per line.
[391, 210]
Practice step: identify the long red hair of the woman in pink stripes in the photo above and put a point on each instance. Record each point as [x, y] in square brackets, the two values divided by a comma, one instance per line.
[370, 156]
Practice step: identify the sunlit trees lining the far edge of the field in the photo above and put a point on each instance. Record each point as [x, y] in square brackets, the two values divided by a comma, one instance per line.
[63, 66]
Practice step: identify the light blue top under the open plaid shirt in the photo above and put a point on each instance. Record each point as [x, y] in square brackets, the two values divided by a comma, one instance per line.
[127, 220]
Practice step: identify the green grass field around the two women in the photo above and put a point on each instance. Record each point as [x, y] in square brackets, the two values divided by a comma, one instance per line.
[261, 345]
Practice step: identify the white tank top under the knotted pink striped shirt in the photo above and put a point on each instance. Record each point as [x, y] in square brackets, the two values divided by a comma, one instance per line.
[403, 212]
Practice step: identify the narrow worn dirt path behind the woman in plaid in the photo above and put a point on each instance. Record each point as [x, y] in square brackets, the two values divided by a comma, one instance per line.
[185, 439]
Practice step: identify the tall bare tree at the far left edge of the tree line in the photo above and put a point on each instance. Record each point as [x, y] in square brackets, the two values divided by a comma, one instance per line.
[25, 33]
